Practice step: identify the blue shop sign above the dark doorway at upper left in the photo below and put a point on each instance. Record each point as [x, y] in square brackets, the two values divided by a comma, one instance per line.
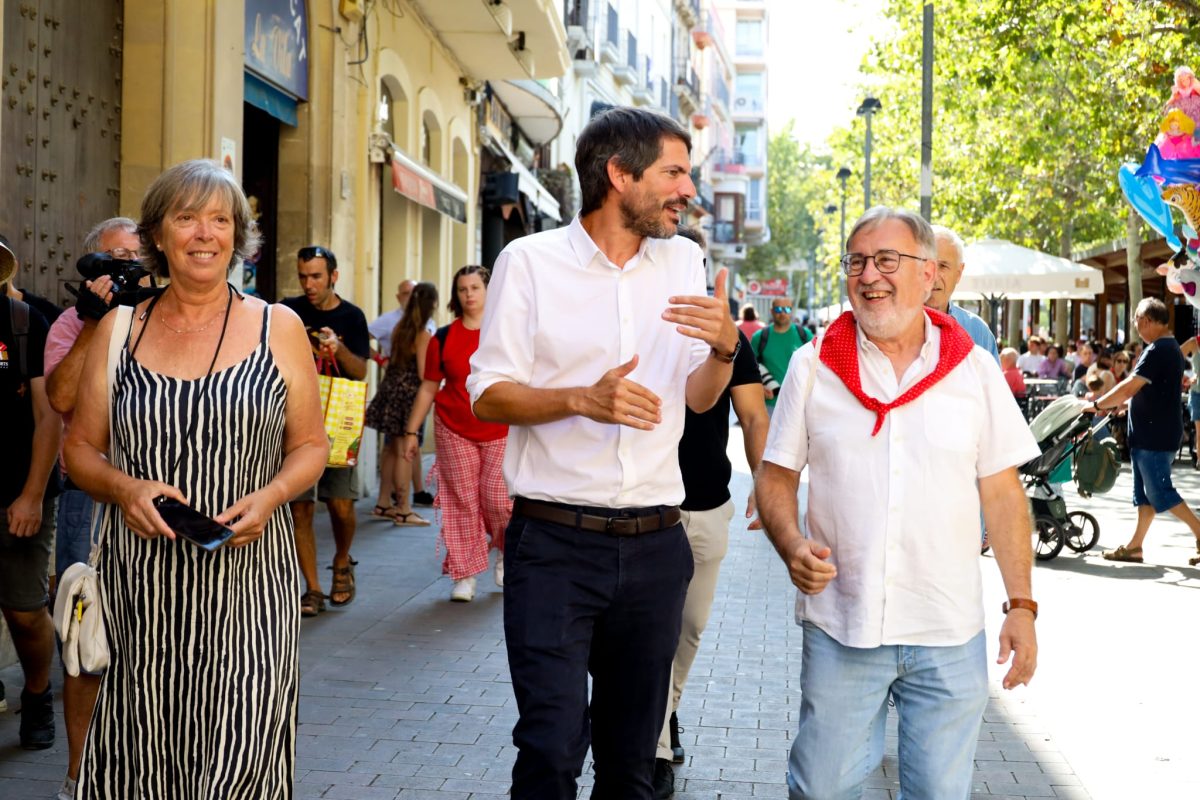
[278, 44]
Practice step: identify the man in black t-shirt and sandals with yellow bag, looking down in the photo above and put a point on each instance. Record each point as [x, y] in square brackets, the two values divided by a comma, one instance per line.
[339, 332]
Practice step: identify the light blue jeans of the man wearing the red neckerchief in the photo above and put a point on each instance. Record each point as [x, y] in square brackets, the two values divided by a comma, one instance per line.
[940, 696]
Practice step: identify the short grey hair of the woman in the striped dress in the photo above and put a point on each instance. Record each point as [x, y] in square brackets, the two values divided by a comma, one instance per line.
[190, 187]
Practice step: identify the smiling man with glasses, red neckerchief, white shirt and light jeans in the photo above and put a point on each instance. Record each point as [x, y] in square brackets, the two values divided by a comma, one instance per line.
[897, 419]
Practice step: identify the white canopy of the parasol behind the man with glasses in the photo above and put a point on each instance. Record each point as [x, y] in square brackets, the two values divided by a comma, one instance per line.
[995, 267]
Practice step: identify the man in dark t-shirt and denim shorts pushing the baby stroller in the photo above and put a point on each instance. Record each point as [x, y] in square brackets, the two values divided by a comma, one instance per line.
[1156, 428]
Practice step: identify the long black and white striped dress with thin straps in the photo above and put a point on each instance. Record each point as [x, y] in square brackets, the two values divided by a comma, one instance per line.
[200, 701]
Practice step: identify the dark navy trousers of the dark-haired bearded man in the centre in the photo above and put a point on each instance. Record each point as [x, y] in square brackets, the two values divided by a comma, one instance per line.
[580, 603]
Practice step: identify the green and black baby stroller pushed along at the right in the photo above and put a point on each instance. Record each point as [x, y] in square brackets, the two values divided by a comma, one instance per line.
[1063, 430]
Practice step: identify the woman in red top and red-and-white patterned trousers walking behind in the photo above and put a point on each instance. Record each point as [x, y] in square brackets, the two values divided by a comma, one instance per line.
[472, 496]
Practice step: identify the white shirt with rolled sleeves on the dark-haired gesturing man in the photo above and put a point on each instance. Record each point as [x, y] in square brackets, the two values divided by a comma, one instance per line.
[560, 315]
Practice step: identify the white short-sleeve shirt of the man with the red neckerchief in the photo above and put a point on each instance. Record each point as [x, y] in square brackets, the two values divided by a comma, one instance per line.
[899, 510]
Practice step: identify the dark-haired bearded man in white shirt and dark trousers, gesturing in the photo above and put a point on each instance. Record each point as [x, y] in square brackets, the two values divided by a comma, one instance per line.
[596, 338]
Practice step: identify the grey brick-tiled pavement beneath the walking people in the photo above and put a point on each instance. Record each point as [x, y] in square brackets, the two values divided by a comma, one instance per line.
[406, 696]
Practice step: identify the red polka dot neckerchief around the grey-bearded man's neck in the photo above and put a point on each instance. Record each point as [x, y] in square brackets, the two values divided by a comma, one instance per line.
[839, 352]
